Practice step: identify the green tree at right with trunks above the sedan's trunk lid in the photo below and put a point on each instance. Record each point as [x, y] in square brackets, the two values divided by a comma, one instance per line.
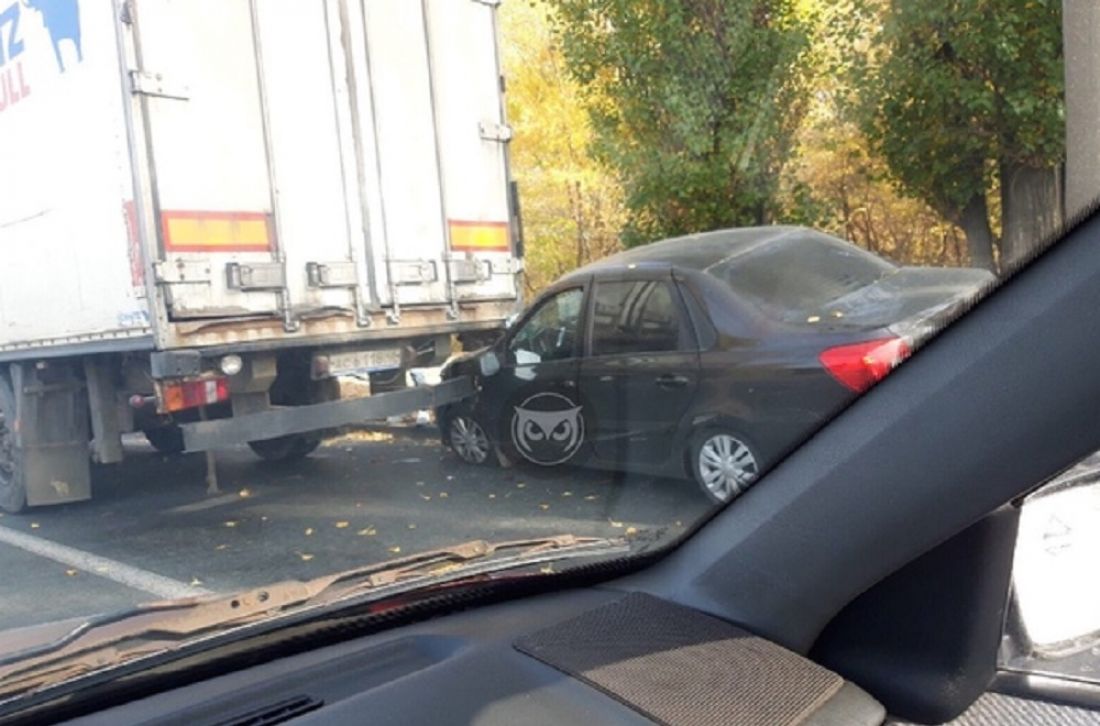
[963, 98]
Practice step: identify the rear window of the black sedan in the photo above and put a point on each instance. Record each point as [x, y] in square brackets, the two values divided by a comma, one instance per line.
[796, 277]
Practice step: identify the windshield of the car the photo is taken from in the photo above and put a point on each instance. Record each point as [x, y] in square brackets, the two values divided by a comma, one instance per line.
[293, 290]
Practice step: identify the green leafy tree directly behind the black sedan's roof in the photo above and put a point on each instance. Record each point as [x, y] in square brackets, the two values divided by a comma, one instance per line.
[694, 104]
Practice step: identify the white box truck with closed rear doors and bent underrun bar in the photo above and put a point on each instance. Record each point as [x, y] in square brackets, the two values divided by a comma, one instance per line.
[211, 210]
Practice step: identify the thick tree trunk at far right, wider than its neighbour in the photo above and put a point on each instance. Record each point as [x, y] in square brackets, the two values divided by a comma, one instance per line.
[1031, 203]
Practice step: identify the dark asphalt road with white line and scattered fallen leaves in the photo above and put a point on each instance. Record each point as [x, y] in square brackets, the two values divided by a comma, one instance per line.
[153, 532]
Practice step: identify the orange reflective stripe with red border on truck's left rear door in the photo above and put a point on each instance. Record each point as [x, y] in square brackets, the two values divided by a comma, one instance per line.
[202, 232]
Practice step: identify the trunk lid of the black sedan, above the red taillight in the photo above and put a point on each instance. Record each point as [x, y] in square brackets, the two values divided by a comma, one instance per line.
[911, 296]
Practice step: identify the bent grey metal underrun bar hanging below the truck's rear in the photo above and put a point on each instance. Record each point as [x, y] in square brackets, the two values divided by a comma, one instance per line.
[204, 436]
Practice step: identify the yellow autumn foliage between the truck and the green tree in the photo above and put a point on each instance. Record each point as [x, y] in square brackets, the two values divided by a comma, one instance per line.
[573, 207]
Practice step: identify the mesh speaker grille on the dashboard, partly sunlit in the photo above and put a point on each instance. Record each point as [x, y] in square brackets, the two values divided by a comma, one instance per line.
[681, 667]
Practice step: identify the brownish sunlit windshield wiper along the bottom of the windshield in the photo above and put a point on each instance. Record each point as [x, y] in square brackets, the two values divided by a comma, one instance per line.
[149, 630]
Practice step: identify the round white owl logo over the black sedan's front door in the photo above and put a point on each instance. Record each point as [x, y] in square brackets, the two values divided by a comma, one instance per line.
[548, 430]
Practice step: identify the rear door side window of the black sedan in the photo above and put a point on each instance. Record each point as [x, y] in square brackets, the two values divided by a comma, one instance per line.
[637, 317]
